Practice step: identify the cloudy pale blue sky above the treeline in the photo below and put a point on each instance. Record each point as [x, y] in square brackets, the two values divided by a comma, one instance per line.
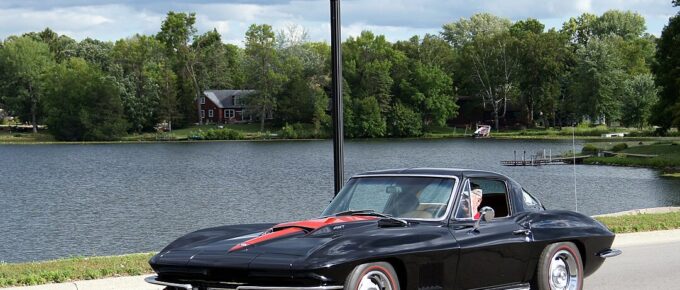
[111, 20]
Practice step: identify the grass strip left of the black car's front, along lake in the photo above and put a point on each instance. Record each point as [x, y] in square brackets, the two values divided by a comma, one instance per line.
[73, 269]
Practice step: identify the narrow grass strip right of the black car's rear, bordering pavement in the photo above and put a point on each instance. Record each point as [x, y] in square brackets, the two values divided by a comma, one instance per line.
[642, 222]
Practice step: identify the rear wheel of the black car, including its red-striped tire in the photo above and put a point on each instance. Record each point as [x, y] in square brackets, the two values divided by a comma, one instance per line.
[559, 268]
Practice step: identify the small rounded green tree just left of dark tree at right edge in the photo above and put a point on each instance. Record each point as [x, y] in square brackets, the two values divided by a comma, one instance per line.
[639, 94]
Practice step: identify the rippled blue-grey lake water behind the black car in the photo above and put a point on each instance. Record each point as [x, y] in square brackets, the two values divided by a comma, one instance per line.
[74, 200]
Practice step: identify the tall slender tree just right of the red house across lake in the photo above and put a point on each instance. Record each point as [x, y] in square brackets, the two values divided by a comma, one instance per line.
[263, 66]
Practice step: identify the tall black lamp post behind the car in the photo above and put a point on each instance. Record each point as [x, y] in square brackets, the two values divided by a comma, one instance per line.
[338, 135]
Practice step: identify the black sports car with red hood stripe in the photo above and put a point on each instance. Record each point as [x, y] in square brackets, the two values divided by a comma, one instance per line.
[399, 229]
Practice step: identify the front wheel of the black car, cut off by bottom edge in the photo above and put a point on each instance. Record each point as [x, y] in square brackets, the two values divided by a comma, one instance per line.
[373, 276]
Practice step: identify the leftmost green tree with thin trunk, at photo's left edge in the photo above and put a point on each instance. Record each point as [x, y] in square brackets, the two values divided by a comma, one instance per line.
[25, 62]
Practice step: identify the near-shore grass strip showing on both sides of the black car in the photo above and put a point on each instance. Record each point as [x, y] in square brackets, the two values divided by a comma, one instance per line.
[74, 269]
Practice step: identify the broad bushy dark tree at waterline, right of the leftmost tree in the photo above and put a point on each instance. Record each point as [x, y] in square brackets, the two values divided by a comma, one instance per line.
[83, 103]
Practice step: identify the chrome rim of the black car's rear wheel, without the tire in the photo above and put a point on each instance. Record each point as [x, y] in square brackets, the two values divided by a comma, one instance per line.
[564, 271]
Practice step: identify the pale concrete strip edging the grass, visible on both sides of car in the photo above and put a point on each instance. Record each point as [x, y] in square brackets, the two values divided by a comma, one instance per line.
[137, 282]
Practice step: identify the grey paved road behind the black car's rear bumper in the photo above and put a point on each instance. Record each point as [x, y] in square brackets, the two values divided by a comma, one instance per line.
[644, 264]
